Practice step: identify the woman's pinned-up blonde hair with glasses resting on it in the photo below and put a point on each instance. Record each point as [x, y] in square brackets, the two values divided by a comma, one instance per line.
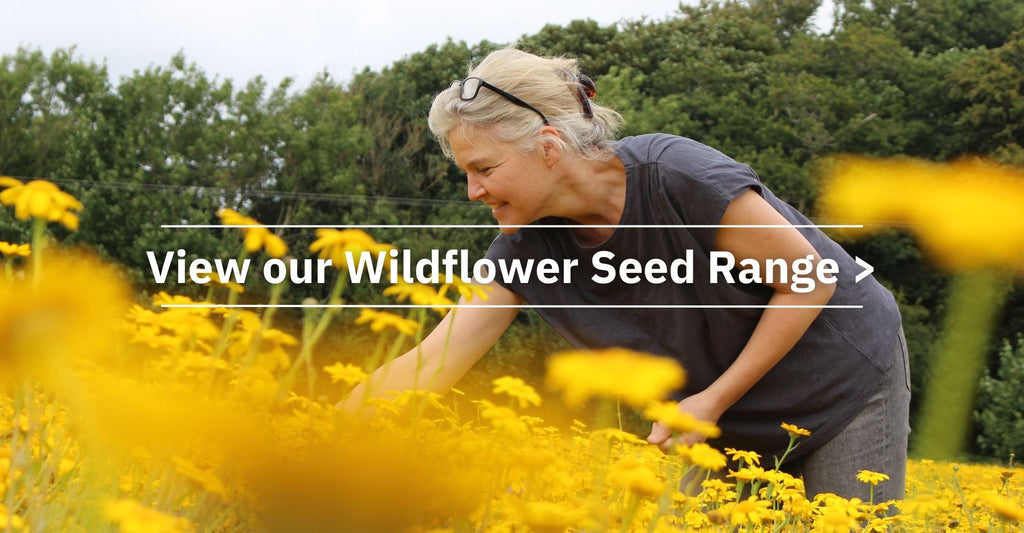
[549, 84]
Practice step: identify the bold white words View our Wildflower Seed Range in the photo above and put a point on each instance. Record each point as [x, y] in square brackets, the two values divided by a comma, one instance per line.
[399, 266]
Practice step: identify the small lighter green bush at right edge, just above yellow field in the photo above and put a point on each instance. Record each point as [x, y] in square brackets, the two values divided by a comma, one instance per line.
[1001, 405]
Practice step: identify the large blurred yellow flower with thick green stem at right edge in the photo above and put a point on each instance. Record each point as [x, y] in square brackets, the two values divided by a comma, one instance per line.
[967, 214]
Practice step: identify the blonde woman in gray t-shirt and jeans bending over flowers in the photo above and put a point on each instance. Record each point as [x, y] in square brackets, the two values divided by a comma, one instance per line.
[537, 151]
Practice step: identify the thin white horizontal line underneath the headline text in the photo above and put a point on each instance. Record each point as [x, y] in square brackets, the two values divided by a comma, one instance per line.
[524, 306]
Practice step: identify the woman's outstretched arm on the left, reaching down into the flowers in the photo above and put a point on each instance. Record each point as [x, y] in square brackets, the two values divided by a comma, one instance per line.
[467, 333]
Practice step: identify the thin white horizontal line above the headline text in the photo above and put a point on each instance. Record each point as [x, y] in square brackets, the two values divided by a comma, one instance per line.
[494, 227]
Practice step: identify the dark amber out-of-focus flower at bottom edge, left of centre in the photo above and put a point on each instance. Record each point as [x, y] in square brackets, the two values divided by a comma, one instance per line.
[368, 481]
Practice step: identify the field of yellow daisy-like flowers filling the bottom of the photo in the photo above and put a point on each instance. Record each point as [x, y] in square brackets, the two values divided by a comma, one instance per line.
[125, 417]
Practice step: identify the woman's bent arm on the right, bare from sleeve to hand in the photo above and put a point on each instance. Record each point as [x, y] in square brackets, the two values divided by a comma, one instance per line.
[778, 331]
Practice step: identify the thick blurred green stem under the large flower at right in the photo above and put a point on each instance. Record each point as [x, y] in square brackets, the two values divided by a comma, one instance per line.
[946, 419]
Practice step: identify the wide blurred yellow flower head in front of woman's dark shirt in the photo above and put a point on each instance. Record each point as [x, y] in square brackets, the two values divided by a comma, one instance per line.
[636, 378]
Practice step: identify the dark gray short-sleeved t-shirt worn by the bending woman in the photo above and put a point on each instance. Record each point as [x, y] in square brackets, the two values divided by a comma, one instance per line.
[821, 385]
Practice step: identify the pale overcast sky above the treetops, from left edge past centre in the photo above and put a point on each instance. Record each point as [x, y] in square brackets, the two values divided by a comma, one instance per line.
[298, 38]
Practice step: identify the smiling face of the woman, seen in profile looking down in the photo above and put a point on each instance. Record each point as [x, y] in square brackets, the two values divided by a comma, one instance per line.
[518, 187]
